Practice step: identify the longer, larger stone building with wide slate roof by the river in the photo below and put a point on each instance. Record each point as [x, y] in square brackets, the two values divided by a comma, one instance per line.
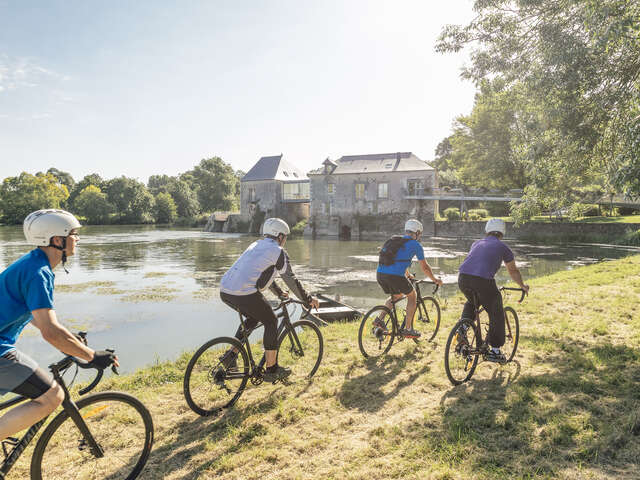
[367, 196]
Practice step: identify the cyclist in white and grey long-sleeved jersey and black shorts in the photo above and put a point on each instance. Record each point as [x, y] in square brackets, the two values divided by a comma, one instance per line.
[242, 285]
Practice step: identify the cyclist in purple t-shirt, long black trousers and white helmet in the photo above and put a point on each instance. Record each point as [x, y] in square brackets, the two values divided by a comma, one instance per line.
[476, 274]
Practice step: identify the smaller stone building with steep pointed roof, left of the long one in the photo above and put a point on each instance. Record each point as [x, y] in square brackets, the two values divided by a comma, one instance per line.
[273, 188]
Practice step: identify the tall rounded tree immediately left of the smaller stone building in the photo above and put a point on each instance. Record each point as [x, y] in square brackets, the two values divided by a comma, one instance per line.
[215, 183]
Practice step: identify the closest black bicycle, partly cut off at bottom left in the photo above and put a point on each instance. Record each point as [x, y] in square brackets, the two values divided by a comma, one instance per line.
[103, 435]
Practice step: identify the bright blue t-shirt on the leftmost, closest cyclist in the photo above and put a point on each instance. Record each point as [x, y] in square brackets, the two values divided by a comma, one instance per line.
[25, 285]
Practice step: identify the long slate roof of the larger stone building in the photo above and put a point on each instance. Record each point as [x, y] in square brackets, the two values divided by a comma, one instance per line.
[375, 163]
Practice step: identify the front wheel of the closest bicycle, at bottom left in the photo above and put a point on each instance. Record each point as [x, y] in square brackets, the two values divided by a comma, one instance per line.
[120, 424]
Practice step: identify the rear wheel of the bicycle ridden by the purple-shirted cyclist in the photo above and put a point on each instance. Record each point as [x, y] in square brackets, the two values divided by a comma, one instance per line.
[459, 362]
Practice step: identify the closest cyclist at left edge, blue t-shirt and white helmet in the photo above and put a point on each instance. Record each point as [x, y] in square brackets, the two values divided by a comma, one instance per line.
[26, 295]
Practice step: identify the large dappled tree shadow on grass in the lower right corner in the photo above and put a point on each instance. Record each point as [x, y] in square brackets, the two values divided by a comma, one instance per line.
[580, 414]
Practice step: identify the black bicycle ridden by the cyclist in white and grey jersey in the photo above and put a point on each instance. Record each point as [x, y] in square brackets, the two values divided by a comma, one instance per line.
[211, 386]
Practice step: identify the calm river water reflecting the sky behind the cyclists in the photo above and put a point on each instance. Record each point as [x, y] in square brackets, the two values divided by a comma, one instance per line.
[152, 293]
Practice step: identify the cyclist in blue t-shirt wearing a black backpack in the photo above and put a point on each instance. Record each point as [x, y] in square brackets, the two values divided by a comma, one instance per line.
[394, 278]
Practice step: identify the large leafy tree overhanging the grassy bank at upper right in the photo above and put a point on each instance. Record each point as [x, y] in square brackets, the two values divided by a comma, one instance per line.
[576, 64]
